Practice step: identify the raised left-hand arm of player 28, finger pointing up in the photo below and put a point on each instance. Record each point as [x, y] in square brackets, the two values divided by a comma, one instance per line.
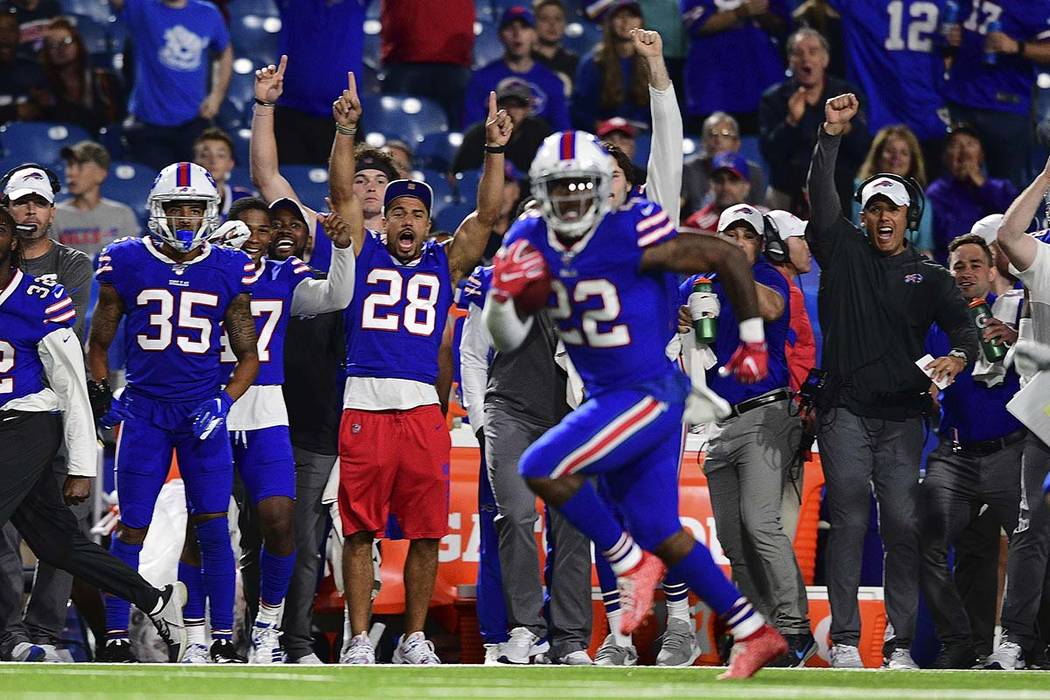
[347, 112]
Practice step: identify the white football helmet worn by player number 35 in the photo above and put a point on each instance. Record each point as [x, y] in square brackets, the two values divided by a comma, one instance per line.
[182, 182]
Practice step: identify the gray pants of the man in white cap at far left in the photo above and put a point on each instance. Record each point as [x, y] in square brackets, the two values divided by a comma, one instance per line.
[45, 616]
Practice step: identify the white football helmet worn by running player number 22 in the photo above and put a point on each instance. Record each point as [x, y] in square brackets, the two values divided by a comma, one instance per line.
[576, 157]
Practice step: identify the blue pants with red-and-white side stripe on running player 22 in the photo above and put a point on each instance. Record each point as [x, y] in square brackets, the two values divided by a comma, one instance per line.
[633, 442]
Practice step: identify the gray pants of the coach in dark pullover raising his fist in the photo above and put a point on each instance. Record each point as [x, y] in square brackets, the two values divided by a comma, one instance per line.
[857, 453]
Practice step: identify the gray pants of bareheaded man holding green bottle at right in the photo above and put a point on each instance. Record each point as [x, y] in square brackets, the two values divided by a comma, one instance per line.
[956, 487]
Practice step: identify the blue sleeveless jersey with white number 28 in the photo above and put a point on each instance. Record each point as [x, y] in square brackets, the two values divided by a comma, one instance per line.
[396, 321]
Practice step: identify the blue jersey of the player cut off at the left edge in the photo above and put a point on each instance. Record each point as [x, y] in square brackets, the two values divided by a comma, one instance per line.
[30, 310]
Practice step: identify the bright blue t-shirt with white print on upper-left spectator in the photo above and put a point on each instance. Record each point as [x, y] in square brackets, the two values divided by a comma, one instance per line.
[173, 65]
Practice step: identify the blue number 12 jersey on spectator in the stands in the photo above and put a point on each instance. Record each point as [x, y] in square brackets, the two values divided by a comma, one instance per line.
[895, 56]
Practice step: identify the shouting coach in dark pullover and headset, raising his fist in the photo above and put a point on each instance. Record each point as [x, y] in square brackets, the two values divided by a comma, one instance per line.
[878, 300]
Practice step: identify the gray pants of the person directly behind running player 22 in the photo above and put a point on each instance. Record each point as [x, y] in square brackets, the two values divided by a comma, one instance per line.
[507, 437]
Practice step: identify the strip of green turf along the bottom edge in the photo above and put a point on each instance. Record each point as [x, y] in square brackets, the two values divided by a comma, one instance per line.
[69, 683]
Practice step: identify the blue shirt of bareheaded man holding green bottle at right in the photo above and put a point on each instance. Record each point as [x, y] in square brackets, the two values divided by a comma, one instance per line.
[972, 412]
